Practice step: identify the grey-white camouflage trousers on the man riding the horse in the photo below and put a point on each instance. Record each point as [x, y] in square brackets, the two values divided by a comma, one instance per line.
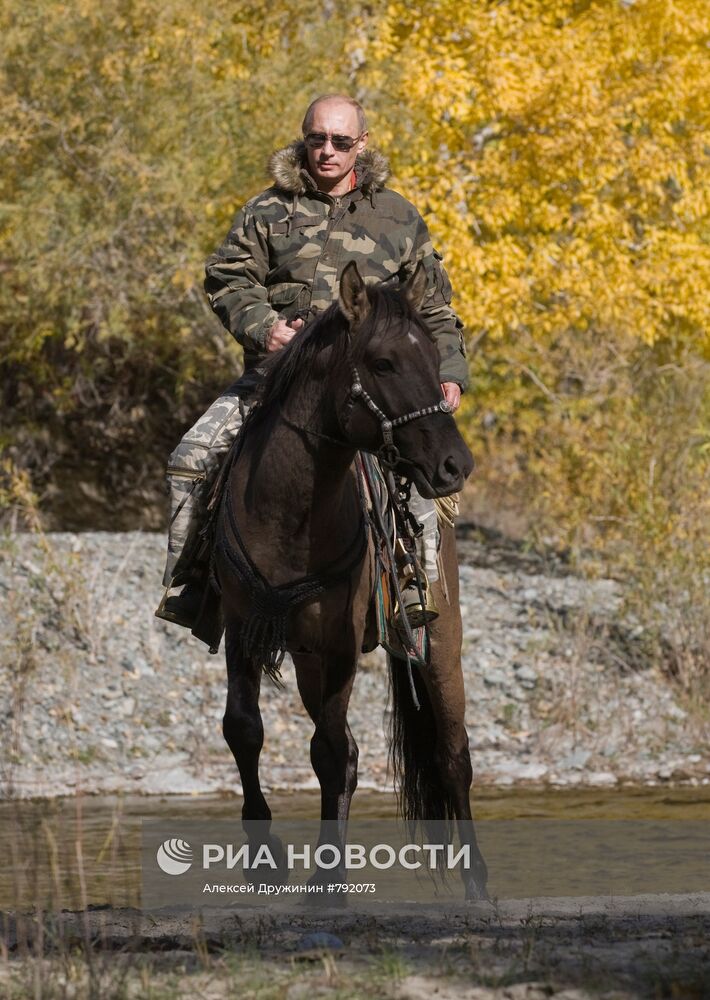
[191, 473]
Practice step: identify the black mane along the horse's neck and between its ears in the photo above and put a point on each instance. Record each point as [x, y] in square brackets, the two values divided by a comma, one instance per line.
[304, 356]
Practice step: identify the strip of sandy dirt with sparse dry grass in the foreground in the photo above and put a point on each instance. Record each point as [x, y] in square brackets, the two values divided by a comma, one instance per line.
[568, 949]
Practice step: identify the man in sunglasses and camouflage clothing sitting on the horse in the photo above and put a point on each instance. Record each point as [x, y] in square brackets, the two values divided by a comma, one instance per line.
[280, 265]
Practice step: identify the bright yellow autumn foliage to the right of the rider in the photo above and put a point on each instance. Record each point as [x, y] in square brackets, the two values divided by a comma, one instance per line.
[560, 152]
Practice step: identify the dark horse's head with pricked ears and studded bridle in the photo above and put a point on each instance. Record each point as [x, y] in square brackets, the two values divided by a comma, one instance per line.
[394, 406]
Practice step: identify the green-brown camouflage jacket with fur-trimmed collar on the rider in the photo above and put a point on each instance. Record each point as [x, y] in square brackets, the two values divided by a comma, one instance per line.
[288, 246]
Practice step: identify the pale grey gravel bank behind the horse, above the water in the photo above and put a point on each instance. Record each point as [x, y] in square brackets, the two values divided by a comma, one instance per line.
[98, 695]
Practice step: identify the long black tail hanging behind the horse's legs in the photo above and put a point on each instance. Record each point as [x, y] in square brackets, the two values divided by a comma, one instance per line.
[412, 750]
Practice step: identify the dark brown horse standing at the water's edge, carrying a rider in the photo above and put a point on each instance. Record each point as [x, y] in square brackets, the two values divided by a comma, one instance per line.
[292, 511]
